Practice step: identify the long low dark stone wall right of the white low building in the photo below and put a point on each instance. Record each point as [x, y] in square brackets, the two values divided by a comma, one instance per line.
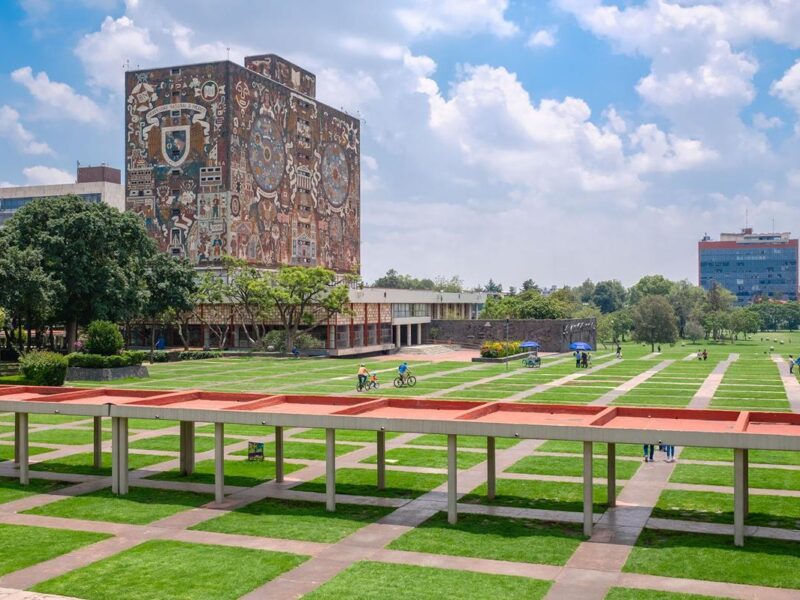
[555, 335]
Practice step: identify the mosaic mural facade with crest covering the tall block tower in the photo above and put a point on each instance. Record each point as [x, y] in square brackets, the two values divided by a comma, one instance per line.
[223, 159]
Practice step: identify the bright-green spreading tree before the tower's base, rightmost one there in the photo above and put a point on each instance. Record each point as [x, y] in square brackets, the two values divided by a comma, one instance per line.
[303, 297]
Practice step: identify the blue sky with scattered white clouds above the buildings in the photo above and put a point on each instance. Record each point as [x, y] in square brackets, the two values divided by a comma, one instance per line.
[547, 139]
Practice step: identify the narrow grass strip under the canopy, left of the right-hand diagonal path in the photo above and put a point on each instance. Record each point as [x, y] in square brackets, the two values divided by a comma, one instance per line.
[544, 495]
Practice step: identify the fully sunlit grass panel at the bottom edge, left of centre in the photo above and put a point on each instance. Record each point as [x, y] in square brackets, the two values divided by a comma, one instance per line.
[176, 570]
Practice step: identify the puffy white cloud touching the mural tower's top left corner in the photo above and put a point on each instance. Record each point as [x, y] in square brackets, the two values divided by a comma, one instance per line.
[105, 53]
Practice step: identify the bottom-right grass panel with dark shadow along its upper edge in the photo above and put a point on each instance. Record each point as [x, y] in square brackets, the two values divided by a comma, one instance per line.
[774, 563]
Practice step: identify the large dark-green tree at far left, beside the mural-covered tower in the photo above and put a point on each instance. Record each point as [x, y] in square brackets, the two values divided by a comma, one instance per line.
[92, 251]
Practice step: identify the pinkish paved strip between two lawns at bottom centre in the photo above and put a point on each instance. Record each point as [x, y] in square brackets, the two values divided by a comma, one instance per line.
[479, 565]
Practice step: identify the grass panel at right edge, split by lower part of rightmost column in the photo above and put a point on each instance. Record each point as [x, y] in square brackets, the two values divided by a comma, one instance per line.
[716, 507]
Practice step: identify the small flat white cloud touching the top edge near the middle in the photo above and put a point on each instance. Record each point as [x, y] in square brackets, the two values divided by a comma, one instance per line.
[457, 16]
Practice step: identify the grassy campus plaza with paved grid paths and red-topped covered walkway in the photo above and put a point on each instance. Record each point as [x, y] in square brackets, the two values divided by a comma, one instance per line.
[443, 510]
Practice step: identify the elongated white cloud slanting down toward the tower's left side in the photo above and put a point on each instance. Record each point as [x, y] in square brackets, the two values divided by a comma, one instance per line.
[59, 98]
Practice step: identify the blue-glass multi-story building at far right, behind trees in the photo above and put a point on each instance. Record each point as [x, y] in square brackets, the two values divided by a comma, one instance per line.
[751, 265]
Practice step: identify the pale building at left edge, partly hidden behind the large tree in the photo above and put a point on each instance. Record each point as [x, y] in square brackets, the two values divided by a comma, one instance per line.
[94, 184]
